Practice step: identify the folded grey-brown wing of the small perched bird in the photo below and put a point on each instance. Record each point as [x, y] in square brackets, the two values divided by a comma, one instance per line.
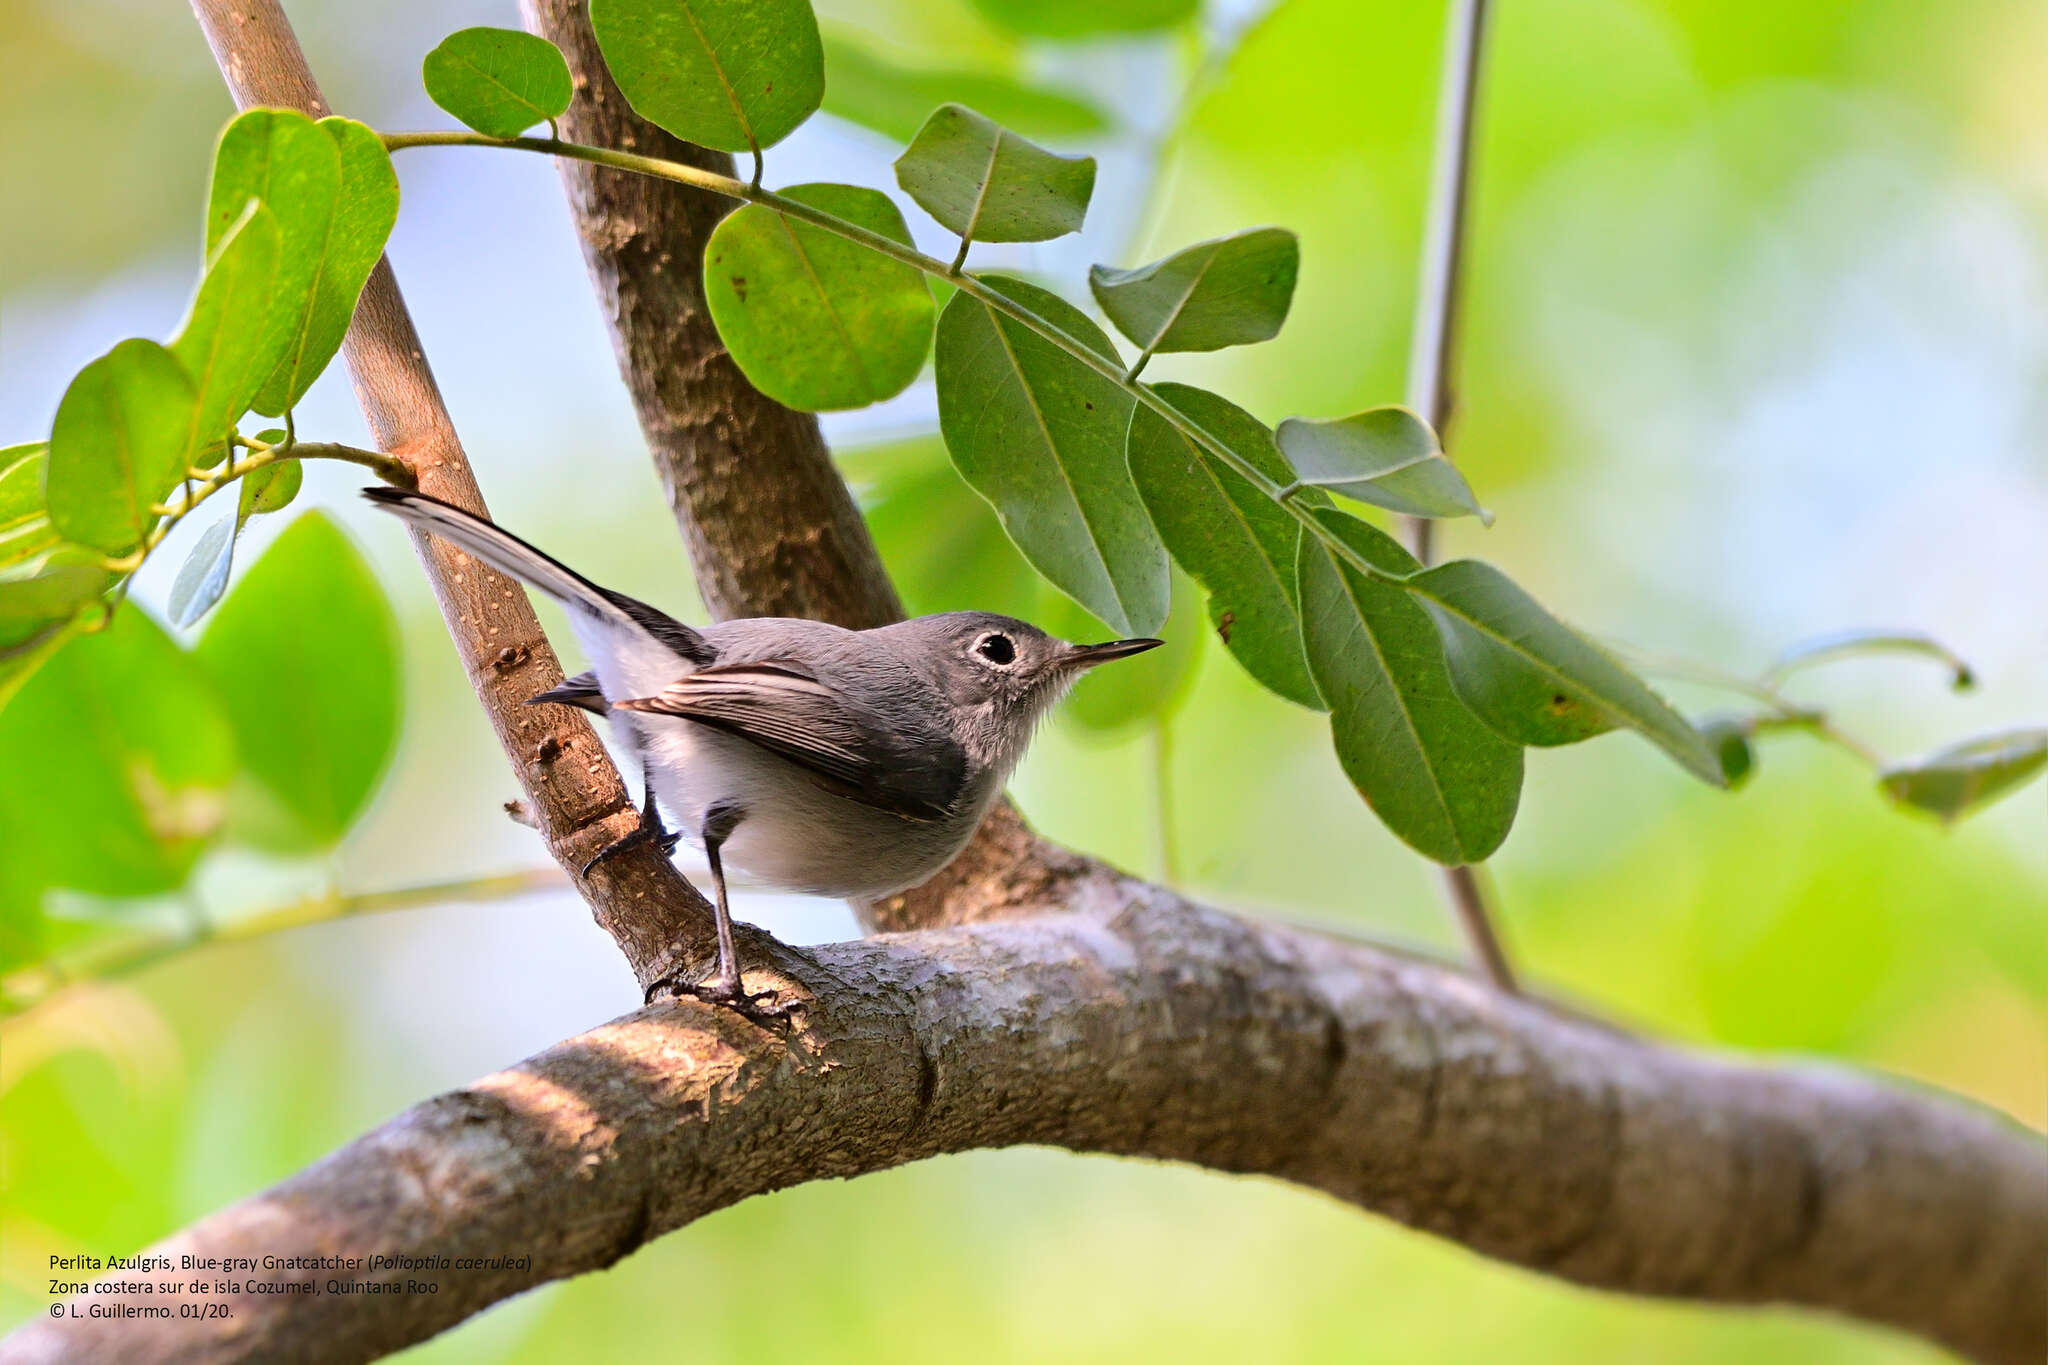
[785, 709]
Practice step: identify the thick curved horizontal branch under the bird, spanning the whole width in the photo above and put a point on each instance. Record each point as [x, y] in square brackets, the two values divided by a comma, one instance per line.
[1148, 1026]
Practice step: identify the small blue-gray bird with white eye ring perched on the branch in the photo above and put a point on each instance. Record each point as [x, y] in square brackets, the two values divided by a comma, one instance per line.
[820, 760]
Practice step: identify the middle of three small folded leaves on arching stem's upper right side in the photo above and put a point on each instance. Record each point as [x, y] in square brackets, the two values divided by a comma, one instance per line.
[1218, 294]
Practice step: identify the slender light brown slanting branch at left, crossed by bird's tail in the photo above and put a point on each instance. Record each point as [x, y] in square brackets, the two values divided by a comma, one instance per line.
[570, 783]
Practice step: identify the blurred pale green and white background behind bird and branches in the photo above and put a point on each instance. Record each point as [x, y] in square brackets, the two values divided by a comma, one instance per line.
[1756, 349]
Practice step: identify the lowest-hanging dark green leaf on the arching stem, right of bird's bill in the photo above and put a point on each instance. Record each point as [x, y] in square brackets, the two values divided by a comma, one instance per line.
[1422, 760]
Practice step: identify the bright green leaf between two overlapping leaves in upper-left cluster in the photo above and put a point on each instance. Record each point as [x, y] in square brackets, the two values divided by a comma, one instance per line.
[282, 159]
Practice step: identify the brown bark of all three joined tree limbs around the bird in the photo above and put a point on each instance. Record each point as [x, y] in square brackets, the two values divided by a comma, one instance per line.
[1091, 1012]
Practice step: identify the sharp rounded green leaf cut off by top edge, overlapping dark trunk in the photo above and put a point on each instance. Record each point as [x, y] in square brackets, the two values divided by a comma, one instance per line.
[730, 75]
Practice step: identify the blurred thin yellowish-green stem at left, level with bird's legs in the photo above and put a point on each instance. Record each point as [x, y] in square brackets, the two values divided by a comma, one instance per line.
[34, 985]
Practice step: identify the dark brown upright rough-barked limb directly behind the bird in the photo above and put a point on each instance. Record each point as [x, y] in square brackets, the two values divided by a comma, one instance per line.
[761, 504]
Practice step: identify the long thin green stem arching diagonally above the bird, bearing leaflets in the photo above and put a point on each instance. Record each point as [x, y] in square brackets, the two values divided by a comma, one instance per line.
[972, 285]
